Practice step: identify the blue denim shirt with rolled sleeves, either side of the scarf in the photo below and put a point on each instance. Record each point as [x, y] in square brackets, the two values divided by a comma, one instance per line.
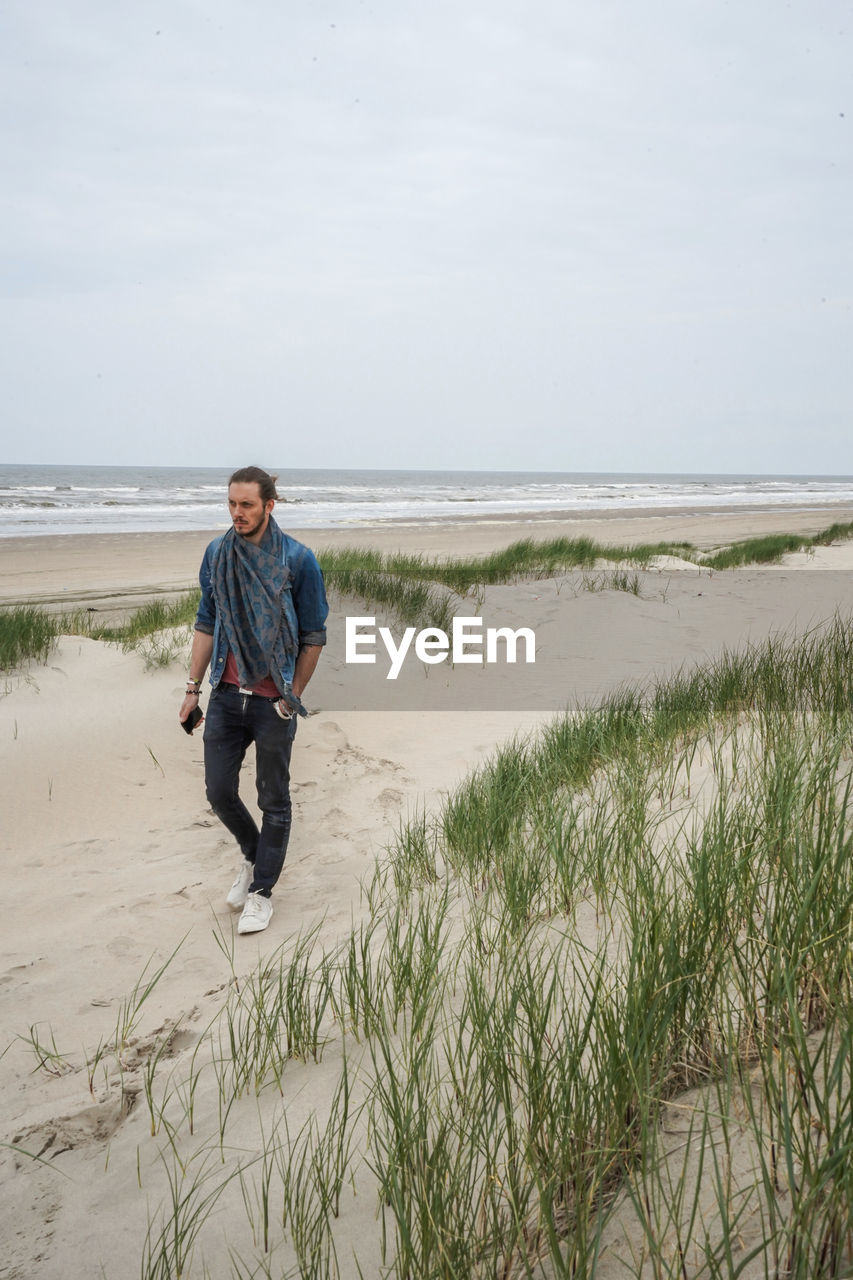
[304, 601]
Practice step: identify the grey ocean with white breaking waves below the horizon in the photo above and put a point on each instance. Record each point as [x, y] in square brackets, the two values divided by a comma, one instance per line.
[63, 500]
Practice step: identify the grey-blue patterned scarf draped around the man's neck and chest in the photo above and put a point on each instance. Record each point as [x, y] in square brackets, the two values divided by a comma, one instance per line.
[249, 582]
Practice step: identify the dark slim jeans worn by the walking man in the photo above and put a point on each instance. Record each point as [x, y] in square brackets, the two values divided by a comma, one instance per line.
[232, 723]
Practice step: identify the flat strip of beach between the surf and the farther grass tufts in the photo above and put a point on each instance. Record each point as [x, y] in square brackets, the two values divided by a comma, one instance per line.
[112, 573]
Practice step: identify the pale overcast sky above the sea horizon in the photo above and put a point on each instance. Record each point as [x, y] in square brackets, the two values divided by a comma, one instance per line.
[555, 235]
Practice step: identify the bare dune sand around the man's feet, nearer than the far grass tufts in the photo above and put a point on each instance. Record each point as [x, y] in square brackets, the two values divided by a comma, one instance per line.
[113, 861]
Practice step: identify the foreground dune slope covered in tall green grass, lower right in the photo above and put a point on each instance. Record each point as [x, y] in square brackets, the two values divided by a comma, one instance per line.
[596, 1020]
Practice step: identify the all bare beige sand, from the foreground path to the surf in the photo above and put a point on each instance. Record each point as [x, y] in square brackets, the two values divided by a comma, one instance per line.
[117, 862]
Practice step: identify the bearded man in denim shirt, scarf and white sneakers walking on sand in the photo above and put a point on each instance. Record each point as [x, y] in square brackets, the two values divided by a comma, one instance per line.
[261, 628]
